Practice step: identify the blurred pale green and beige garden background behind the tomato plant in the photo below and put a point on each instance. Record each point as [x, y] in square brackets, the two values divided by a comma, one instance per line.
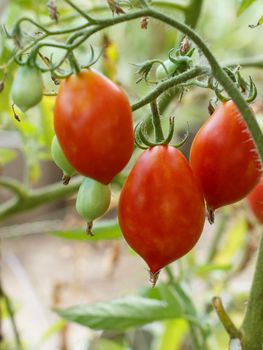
[46, 259]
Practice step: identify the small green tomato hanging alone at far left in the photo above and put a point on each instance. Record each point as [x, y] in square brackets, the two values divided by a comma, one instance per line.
[27, 88]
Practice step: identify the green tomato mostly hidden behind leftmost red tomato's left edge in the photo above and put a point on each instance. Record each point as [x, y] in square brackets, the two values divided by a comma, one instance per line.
[61, 161]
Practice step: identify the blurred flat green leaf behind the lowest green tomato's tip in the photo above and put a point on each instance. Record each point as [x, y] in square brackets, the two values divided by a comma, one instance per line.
[105, 230]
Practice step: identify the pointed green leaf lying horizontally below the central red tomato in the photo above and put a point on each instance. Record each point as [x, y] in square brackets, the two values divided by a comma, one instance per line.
[119, 314]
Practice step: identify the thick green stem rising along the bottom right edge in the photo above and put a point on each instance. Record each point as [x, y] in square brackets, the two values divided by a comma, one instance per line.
[252, 327]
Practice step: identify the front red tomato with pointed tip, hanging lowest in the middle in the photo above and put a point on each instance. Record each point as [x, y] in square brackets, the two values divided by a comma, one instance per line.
[161, 208]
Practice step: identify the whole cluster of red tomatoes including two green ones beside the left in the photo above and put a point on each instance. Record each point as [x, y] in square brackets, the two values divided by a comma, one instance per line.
[162, 204]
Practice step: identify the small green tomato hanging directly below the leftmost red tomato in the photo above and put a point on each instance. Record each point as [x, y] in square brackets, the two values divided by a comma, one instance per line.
[93, 200]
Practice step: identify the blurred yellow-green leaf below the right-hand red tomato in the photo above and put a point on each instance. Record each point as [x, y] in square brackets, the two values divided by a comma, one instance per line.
[234, 242]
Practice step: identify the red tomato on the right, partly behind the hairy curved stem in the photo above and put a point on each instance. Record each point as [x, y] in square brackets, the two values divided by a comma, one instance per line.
[224, 158]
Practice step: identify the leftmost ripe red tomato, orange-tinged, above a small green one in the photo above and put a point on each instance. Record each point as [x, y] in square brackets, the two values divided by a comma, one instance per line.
[93, 123]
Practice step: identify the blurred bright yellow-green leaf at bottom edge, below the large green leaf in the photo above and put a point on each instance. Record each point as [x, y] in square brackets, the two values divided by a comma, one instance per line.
[173, 335]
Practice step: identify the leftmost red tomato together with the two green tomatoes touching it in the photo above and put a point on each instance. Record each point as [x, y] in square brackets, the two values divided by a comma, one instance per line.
[94, 137]
